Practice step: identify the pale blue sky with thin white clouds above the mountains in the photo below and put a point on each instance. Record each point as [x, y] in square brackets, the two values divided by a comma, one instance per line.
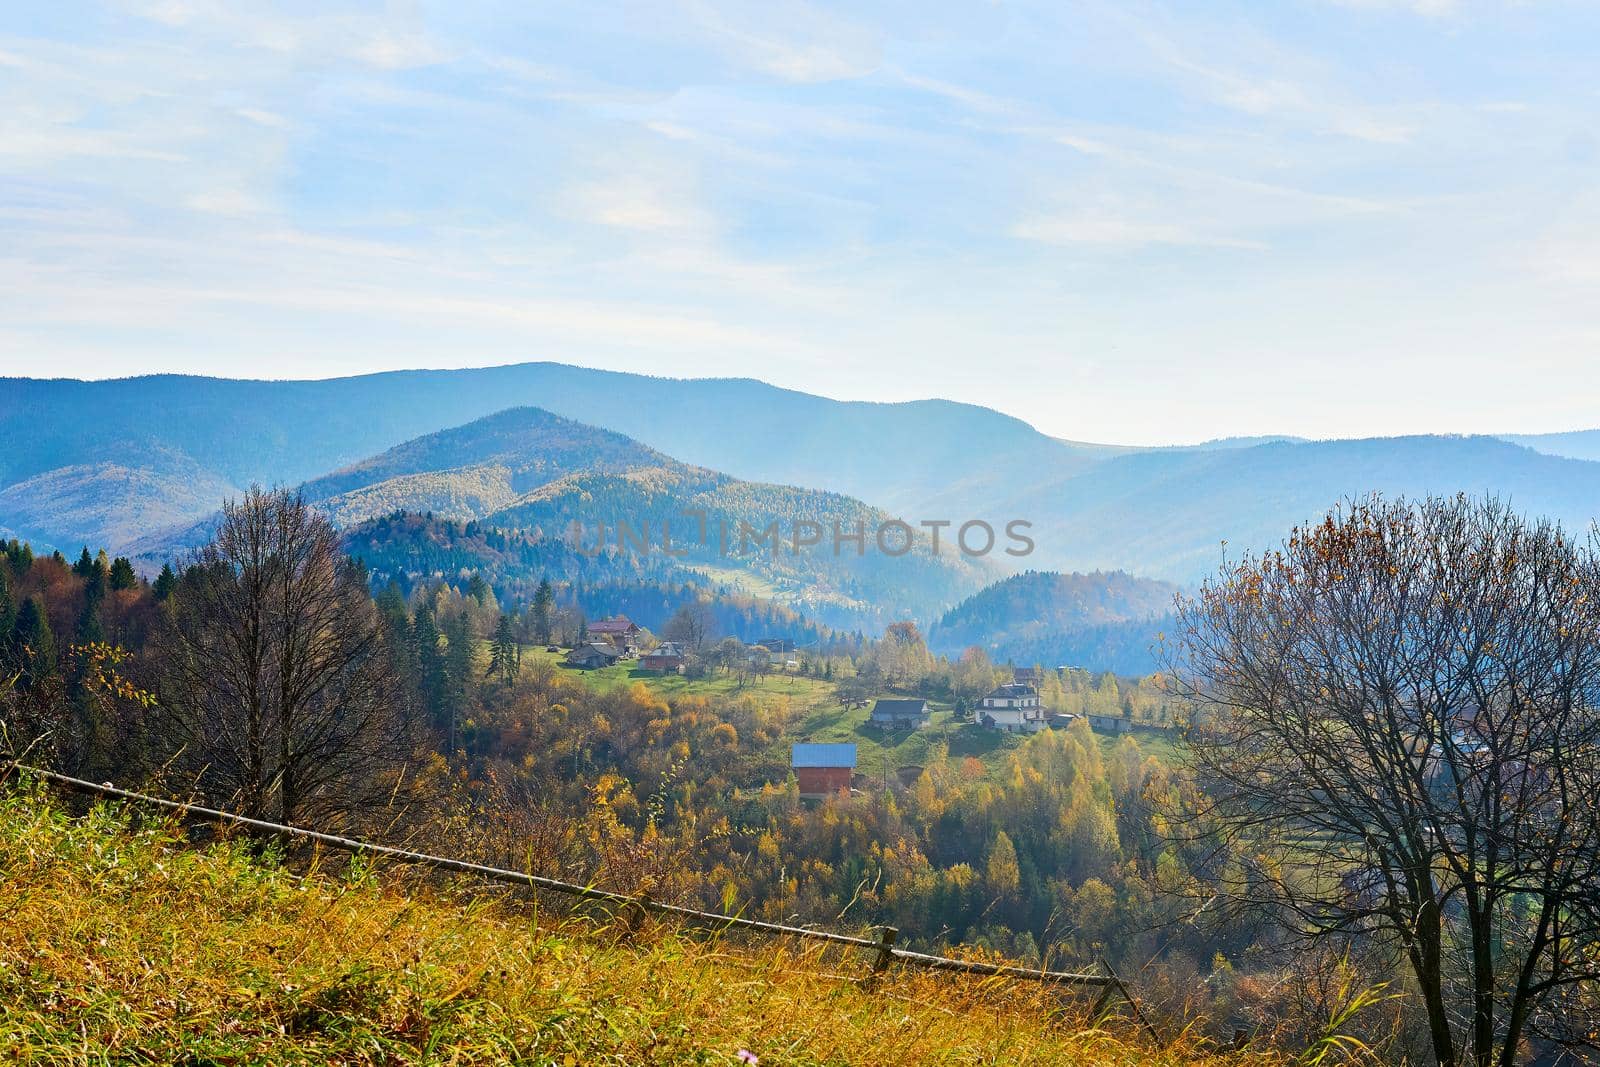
[1129, 222]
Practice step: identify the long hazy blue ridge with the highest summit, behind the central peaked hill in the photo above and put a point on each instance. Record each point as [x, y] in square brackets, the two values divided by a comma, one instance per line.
[294, 431]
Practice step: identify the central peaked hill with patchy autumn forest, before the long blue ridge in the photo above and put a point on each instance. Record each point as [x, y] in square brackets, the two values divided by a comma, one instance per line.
[532, 471]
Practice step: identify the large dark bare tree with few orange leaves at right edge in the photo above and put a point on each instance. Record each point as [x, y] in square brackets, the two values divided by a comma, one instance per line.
[1396, 721]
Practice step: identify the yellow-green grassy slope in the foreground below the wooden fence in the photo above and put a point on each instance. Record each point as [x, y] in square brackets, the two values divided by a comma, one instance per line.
[124, 946]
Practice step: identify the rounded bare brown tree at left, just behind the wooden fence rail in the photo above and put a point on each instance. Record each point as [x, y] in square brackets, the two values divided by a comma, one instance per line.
[276, 666]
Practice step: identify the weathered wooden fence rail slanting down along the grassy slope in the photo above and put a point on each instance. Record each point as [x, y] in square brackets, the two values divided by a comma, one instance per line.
[884, 945]
